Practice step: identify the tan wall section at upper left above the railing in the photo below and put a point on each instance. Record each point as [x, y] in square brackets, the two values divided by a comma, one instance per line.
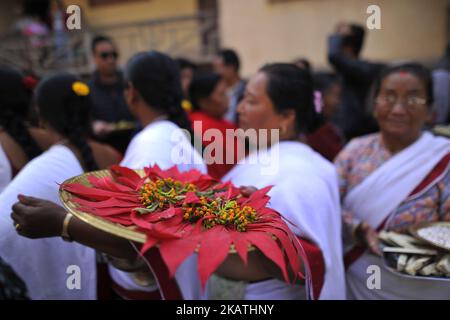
[122, 22]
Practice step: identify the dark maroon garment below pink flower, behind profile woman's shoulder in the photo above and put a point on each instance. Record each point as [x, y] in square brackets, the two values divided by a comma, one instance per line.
[326, 140]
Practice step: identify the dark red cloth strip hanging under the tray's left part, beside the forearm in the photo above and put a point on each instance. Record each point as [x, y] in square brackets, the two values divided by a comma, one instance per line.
[168, 286]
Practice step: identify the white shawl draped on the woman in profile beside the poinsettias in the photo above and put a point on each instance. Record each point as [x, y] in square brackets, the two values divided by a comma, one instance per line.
[305, 192]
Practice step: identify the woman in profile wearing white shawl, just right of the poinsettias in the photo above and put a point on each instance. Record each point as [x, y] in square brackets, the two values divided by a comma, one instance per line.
[304, 189]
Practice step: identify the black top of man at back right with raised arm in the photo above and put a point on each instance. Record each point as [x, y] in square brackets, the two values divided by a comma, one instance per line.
[357, 77]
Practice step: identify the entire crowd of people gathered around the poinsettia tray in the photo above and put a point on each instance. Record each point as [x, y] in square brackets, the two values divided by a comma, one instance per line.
[356, 155]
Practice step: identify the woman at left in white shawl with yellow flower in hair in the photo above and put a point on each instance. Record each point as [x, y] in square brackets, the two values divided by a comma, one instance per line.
[44, 264]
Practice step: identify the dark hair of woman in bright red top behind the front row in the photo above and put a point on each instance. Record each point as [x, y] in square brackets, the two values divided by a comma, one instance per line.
[202, 86]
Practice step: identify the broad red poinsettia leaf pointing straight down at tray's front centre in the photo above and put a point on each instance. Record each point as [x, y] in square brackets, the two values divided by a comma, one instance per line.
[214, 248]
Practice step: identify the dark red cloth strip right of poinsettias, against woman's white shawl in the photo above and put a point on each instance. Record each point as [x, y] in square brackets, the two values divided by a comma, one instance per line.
[316, 265]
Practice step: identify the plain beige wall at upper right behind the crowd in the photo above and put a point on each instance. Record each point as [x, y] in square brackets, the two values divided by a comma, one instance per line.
[265, 31]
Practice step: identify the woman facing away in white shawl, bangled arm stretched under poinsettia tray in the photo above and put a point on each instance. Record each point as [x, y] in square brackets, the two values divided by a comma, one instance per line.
[153, 95]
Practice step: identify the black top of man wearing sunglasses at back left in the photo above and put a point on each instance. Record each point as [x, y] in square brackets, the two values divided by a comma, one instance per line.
[108, 101]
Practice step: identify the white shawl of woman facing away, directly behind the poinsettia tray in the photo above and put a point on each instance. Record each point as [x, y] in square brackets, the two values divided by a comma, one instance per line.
[163, 143]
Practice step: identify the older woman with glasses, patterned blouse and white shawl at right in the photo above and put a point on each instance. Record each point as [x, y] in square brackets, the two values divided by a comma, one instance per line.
[393, 180]
